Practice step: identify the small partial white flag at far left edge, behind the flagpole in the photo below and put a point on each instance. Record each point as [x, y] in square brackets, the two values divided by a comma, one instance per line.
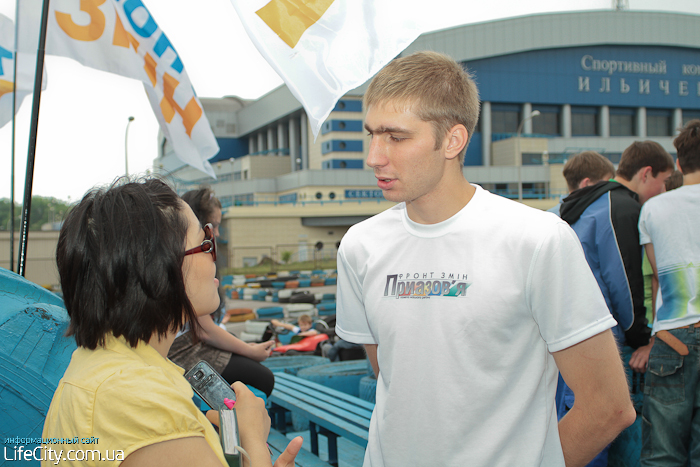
[25, 72]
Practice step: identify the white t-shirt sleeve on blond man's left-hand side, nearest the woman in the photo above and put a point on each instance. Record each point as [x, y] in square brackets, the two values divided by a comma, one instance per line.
[351, 319]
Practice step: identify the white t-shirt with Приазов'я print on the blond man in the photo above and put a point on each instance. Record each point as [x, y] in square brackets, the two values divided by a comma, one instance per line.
[465, 314]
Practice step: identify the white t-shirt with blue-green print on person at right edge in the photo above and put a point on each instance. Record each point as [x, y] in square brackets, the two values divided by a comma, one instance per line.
[671, 222]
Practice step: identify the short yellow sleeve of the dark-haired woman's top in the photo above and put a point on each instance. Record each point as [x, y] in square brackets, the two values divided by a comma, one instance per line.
[141, 407]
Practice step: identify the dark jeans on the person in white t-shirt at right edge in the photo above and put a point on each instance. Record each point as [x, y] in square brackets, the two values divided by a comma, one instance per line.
[671, 415]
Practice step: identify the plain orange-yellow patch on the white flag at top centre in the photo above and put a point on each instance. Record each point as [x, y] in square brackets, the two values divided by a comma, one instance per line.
[289, 19]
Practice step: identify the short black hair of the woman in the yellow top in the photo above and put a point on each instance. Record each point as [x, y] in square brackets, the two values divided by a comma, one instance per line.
[120, 254]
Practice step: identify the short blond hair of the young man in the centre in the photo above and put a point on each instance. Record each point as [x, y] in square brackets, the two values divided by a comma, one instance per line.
[434, 87]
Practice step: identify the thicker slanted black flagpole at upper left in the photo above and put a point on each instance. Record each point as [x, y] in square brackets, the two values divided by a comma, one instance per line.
[29, 177]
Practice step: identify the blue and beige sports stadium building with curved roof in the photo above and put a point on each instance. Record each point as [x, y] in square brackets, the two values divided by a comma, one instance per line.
[551, 85]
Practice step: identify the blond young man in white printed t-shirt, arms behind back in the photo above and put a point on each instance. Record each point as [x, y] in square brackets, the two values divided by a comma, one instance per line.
[468, 303]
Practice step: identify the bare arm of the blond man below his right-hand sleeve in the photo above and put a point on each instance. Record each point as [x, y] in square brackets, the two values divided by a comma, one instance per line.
[593, 370]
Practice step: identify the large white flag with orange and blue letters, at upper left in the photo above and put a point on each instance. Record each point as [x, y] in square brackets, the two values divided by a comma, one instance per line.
[121, 37]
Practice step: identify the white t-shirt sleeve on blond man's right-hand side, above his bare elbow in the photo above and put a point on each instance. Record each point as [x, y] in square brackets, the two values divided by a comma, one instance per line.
[563, 294]
